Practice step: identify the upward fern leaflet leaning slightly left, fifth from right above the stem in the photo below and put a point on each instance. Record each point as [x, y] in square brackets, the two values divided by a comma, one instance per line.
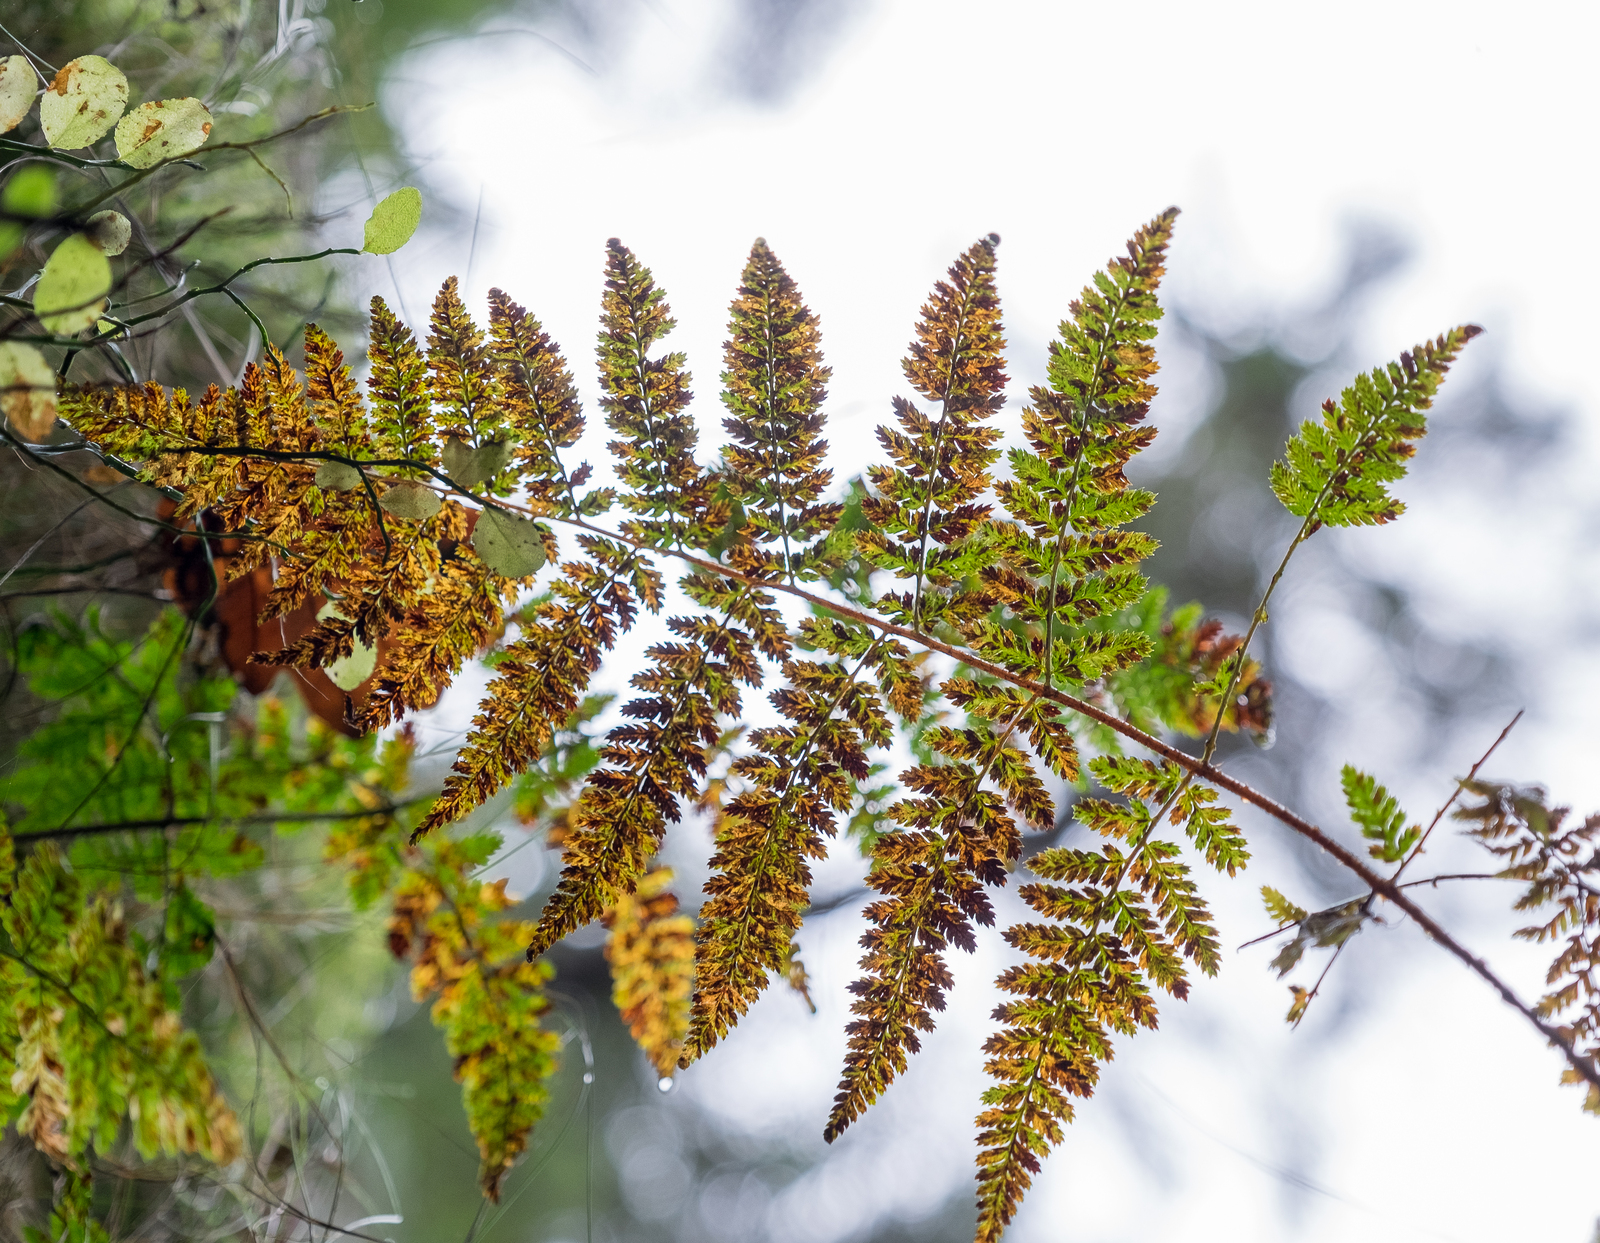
[646, 402]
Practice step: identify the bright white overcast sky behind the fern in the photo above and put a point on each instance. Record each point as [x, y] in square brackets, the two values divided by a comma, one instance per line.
[1470, 129]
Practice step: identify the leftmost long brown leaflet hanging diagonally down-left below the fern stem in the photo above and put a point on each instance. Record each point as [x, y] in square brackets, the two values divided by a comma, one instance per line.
[545, 674]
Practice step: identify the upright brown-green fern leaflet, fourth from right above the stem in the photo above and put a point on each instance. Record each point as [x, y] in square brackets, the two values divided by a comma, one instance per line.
[774, 388]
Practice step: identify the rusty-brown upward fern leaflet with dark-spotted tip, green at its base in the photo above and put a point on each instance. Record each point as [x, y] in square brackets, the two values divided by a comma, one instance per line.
[924, 511]
